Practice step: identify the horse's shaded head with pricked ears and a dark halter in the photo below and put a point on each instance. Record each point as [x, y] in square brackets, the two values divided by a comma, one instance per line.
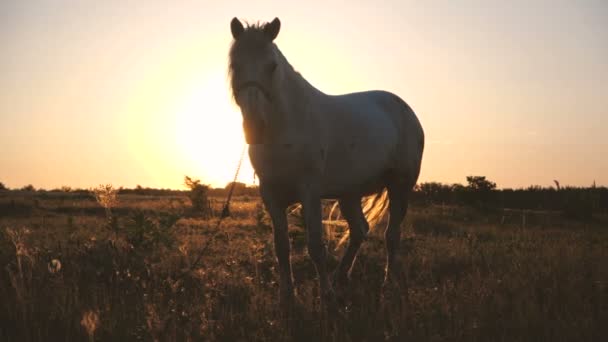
[253, 74]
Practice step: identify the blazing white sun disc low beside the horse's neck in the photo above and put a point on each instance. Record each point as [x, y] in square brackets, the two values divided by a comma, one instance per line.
[208, 132]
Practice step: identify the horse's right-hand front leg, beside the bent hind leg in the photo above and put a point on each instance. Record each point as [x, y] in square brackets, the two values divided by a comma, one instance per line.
[311, 206]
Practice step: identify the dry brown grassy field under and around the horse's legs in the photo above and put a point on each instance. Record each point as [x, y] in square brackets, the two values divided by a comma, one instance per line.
[73, 270]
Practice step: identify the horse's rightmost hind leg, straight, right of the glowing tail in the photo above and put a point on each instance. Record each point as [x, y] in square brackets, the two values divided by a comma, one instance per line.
[398, 203]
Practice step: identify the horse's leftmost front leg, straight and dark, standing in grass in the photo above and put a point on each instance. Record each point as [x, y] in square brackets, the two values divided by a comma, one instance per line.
[276, 209]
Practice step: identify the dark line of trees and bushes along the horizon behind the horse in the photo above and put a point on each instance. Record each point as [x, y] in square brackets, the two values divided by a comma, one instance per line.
[576, 202]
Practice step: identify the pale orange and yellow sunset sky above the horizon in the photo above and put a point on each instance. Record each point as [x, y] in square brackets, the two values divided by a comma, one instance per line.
[135, 92]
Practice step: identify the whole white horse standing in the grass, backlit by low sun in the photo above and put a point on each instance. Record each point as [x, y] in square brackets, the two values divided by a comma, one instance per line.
[306, 145]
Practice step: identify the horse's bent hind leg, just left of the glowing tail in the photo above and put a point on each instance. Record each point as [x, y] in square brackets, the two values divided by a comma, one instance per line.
[358, 228]
